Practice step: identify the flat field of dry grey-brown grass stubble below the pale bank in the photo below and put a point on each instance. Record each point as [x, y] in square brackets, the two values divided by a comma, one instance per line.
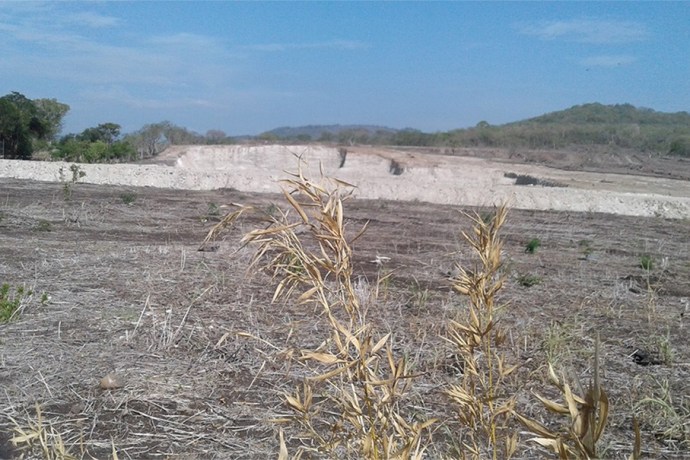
[209, 363]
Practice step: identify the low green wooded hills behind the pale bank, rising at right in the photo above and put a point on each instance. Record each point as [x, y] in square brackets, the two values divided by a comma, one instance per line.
[622, 125]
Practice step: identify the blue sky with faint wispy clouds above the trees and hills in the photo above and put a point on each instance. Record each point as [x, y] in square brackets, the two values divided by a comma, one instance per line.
[249, 67]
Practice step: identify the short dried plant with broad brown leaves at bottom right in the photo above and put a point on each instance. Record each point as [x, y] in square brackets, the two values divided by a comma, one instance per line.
[587, 416]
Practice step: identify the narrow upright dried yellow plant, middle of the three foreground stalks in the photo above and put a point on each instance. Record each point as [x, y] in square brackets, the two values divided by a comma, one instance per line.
[482, 404]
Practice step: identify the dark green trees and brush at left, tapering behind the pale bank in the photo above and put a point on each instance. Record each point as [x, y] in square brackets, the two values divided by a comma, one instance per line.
[30, 129]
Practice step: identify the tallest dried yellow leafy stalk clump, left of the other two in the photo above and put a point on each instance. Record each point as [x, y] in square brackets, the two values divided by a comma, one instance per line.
[359, 381]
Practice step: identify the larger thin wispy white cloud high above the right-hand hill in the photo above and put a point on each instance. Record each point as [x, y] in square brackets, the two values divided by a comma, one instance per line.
[594, 31]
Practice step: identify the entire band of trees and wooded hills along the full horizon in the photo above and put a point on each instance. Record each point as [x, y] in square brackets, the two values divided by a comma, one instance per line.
[30, 128]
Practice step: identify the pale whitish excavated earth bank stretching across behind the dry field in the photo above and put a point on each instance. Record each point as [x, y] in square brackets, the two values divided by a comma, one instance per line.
[425, 177]
